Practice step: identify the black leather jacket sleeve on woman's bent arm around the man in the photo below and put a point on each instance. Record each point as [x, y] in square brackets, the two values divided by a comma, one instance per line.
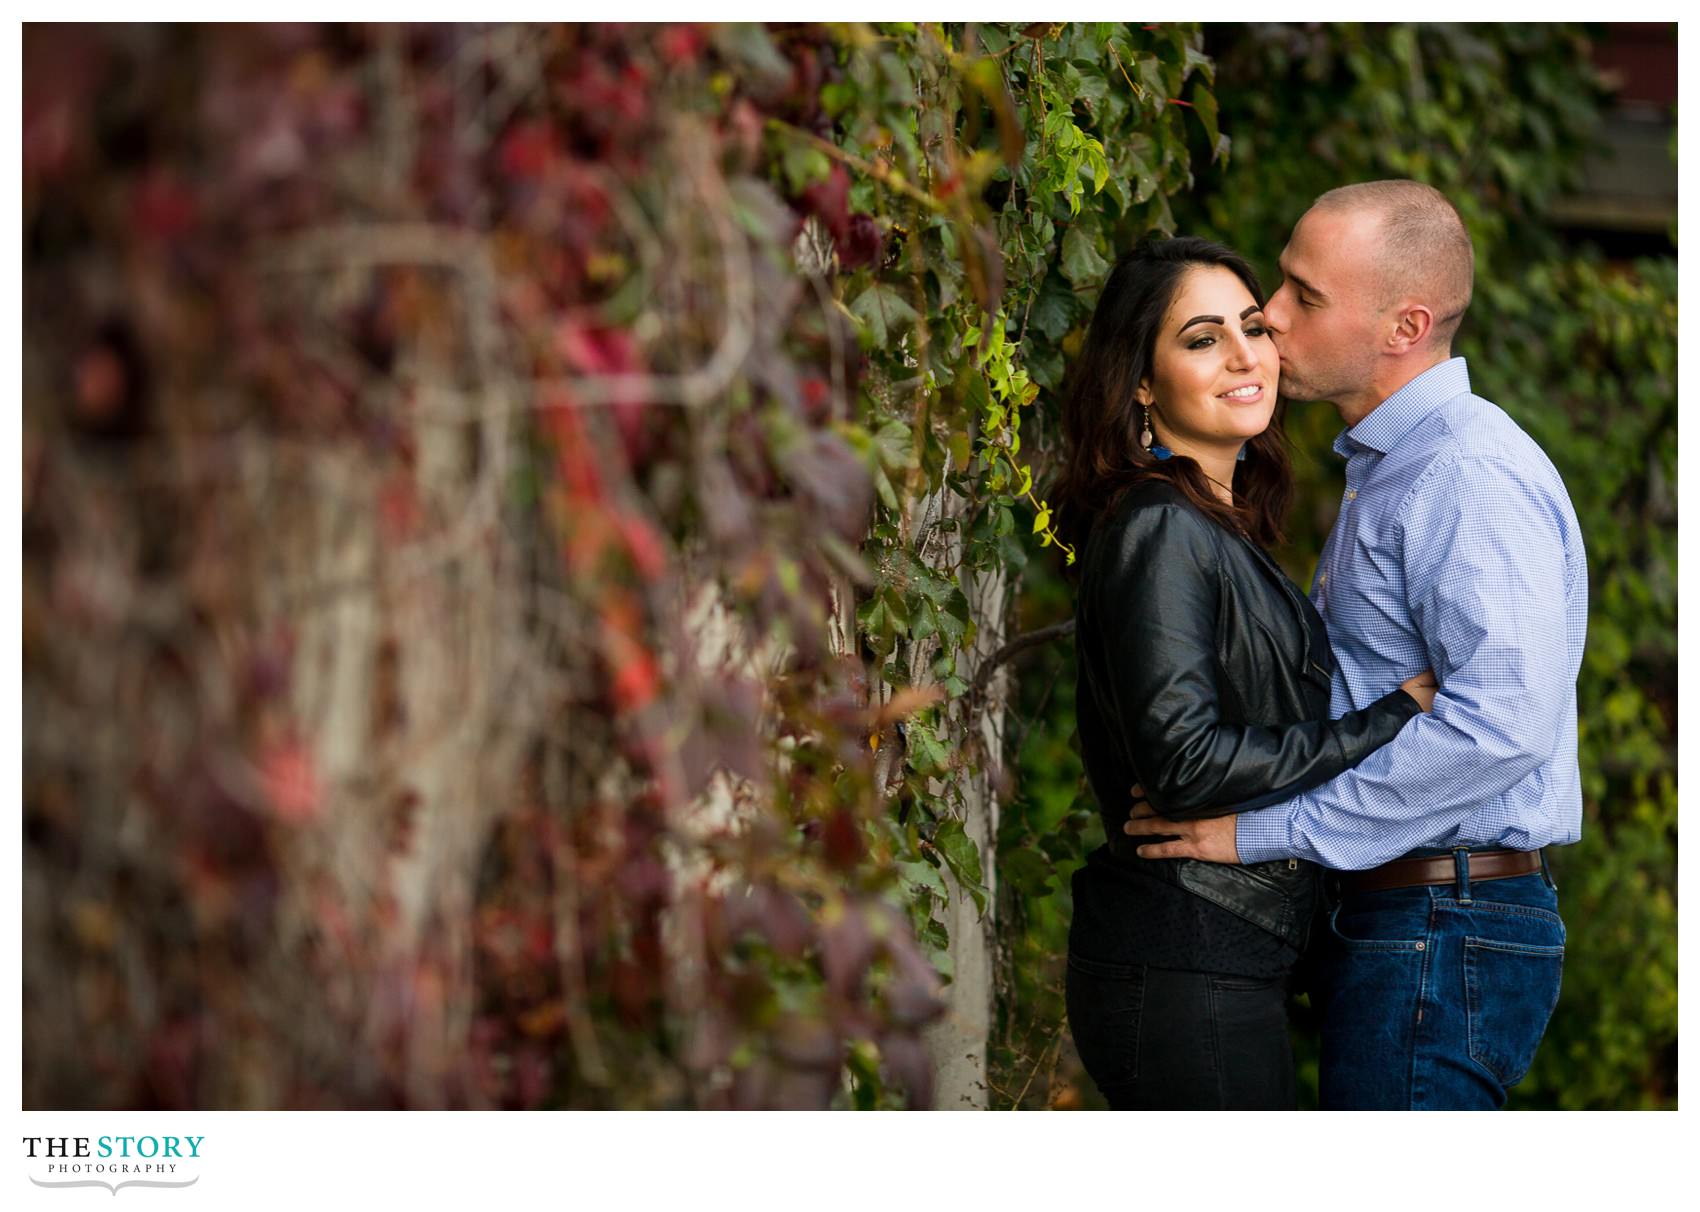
[1157, 601]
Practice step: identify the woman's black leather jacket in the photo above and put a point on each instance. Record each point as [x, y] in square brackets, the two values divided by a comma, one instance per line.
[1204, 677]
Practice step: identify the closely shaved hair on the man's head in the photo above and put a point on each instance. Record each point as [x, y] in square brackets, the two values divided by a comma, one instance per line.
[1424, 251]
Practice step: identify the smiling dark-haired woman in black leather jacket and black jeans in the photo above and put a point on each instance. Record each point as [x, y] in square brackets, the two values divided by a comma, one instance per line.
[1204, 679]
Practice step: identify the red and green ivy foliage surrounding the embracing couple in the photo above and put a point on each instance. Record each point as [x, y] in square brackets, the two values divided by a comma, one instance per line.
[523, 533]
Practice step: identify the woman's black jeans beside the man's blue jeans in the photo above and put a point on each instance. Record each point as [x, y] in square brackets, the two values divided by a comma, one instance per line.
[1160, 1039]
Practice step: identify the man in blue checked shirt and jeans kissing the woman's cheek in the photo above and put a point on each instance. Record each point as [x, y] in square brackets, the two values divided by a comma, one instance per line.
[1456, 550]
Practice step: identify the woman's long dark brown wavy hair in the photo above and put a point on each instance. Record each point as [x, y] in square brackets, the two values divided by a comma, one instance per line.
[1102, 419]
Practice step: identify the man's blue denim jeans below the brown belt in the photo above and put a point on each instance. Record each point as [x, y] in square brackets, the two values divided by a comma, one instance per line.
[1437, 997]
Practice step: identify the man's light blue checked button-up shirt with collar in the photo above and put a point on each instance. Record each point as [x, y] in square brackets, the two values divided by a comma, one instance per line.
[1456, 550]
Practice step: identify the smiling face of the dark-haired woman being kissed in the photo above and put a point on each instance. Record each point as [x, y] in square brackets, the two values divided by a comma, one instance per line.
[1215, 373]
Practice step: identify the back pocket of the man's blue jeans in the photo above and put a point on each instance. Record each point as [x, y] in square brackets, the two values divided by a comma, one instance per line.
[1510, 994]
